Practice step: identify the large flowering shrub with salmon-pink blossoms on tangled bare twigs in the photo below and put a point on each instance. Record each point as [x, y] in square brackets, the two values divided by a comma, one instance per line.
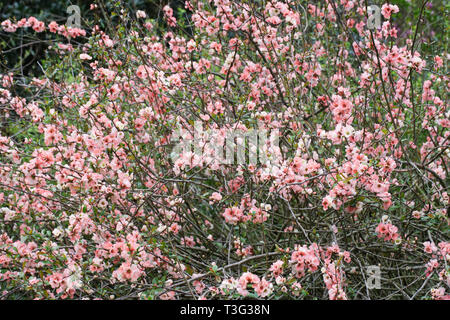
[94, 204]
